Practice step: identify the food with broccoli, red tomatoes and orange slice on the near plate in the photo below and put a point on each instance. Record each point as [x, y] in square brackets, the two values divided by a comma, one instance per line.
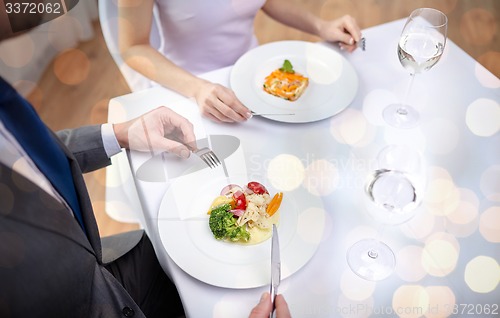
[244, 214]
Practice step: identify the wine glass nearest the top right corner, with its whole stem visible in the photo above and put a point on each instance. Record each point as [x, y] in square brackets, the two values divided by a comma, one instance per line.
[420, 47]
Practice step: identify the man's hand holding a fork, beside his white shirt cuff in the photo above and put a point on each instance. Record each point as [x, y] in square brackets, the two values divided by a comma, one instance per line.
[157, 131]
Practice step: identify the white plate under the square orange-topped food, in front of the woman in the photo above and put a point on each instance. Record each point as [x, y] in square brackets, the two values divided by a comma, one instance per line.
[333, 82]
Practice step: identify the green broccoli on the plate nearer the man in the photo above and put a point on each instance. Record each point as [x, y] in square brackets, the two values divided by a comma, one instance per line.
[223, 225]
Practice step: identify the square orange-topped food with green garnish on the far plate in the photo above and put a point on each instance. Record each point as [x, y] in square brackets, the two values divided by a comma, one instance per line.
[286, 83]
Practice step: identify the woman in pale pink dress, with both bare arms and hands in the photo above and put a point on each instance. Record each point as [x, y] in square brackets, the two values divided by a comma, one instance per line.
[198, 36]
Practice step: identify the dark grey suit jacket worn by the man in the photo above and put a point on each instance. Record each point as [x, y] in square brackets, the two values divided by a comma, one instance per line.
[48, 267]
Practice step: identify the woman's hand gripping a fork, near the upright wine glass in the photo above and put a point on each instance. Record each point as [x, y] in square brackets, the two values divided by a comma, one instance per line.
[344, 30]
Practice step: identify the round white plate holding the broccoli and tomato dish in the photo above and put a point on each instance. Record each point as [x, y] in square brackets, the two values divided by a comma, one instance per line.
[191, 245]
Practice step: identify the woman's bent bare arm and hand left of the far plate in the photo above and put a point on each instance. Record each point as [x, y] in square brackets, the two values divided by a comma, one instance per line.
[215, 101]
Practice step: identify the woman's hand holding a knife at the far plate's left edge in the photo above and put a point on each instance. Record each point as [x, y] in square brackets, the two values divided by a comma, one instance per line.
[220, 104]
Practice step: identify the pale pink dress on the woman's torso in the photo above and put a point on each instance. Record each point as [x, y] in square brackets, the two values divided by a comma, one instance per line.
[203, 35]
